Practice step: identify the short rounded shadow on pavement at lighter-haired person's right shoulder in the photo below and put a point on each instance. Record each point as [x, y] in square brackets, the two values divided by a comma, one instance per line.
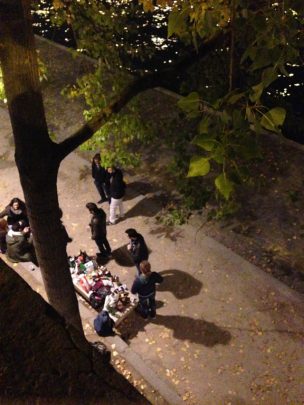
[181, 284]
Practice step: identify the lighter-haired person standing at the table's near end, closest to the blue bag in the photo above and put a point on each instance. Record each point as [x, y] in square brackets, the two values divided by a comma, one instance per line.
[144, 286]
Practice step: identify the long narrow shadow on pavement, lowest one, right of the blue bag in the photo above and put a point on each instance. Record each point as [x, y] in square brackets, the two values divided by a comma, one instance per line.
[184, 328]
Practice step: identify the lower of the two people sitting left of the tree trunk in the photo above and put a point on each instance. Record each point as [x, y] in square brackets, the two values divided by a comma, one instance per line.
[20, 246]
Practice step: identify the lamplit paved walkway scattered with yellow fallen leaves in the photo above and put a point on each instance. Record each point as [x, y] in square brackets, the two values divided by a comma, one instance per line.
[225, 333]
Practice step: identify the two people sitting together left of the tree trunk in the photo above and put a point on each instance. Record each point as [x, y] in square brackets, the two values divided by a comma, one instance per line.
[15, 235]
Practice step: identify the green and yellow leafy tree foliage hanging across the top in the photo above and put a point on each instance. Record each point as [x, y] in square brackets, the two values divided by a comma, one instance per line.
[259, 41]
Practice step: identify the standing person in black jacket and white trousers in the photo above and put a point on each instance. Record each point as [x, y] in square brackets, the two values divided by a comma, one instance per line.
[117, 192]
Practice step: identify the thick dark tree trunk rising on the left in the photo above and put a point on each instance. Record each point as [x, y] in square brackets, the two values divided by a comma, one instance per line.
[36, 155]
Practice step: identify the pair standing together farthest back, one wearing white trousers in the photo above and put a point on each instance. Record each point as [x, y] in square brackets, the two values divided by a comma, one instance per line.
[110, 186]
